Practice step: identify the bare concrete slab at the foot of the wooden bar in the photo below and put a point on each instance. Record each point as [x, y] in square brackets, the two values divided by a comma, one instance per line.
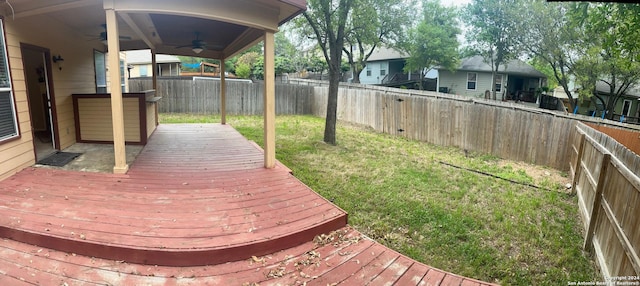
[95, 157]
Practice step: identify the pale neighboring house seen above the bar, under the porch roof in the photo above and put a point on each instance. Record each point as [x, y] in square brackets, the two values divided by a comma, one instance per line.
[139, 64]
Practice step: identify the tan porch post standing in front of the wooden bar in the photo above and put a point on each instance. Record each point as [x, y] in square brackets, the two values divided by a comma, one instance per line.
[117, 110]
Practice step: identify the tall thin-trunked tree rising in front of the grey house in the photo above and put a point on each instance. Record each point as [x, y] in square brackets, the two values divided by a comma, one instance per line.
[495, 31]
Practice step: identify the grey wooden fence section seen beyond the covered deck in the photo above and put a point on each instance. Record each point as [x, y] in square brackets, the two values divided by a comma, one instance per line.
[202, 96]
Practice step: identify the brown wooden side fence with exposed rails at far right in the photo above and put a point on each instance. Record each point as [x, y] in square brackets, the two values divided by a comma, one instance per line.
[608, 200]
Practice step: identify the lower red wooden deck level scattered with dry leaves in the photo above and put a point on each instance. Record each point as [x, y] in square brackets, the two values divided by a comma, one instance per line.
[344, 257]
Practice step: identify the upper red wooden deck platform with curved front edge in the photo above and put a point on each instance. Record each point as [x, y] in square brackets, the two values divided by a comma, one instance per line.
[194, 196]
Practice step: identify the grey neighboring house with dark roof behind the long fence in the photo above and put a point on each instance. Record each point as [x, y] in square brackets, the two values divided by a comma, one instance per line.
[474, 78]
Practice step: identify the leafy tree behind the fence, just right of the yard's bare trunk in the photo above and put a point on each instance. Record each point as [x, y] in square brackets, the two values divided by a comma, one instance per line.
[374, 23]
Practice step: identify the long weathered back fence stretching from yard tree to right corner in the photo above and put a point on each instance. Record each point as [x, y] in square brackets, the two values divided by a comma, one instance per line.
[501, 129]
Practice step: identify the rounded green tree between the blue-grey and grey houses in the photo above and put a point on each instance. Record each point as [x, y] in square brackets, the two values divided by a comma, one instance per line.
[434, 41]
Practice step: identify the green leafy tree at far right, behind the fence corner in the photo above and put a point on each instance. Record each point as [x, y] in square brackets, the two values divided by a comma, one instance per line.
[613, 56]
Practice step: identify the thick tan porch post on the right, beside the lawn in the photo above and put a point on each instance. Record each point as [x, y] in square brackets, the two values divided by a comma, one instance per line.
[269, 101]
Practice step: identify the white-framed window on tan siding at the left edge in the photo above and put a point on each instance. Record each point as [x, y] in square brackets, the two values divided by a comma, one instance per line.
[8, 118]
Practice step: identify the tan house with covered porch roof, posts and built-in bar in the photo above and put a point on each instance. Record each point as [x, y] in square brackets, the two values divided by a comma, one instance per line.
[55, 75]
